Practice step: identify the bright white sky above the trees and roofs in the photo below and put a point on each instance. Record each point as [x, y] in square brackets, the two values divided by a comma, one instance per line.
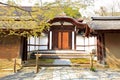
[89, 11]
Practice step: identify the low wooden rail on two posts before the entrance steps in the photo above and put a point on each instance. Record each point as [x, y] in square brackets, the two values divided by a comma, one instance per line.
[64, 56]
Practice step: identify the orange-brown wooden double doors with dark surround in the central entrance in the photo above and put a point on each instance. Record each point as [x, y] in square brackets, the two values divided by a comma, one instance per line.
[62, 40]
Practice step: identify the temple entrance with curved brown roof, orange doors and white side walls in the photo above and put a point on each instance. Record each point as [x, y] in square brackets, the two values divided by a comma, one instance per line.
[65, 33]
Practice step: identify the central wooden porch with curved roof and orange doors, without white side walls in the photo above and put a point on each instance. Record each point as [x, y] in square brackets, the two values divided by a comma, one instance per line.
[62, 34]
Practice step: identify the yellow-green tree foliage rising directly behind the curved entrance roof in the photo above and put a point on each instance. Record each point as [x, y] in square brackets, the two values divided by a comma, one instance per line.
[69, 8]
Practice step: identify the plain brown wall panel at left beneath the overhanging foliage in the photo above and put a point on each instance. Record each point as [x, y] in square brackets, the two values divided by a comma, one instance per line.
[9, 47]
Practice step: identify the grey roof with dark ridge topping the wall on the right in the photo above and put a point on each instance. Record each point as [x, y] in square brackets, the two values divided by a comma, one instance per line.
[105, 23]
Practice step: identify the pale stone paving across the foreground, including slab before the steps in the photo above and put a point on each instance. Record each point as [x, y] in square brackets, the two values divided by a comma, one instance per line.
[63, 73]
